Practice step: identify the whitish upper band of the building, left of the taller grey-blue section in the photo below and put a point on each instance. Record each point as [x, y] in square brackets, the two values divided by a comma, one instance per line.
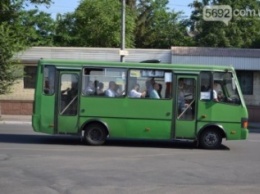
[96, 54]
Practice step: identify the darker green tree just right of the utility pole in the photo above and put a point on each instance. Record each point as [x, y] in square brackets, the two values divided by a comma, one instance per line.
[158, 27]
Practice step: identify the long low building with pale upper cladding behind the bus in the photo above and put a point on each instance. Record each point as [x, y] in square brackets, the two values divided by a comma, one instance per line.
[245, 61]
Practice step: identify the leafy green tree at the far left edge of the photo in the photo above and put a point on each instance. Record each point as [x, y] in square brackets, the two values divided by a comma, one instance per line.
[14, 35]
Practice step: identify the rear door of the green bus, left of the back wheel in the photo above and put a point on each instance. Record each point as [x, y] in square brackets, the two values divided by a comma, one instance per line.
[67, 102]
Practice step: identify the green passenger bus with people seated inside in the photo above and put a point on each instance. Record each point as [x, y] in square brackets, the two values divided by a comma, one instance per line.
[101, 100]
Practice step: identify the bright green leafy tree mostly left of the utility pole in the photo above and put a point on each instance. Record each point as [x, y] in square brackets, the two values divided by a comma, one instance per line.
[95, 23]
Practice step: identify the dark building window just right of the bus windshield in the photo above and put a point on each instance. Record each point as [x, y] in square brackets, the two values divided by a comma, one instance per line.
[246, 79]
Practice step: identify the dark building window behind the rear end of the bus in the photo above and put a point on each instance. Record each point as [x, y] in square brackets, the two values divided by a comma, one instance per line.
[29, 79]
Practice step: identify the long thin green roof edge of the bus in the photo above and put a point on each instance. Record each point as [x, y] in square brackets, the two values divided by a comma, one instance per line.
[82, 63]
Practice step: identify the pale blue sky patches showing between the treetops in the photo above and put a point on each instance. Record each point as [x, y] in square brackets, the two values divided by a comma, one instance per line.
[64, 6]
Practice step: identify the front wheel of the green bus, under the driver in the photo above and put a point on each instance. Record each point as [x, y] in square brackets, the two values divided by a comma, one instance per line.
[210, 139]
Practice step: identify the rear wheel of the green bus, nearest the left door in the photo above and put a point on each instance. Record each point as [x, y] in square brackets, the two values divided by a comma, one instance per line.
[95, 134]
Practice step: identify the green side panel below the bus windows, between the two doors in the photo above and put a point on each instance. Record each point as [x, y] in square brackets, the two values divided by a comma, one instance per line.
[140, 118]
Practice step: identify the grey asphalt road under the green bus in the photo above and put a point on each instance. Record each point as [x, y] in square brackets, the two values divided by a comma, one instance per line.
[43, 164]
